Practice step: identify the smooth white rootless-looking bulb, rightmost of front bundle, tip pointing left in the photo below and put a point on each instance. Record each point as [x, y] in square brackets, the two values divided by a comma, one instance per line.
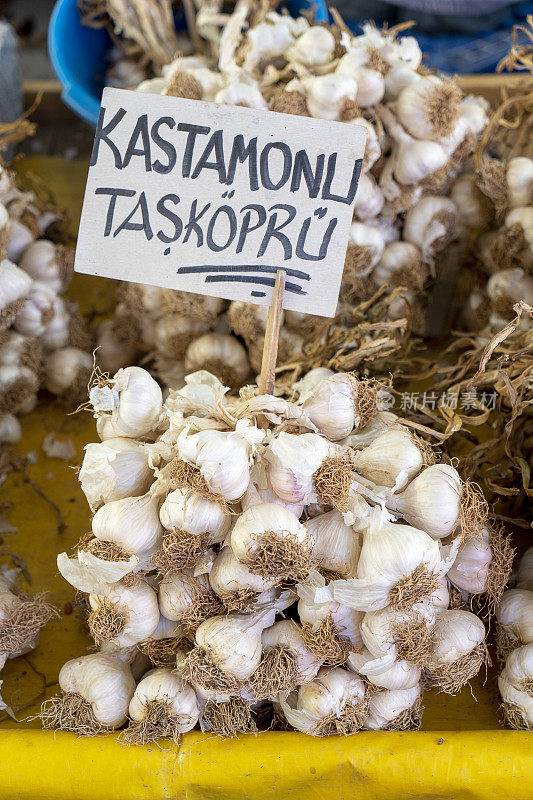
[431, 501]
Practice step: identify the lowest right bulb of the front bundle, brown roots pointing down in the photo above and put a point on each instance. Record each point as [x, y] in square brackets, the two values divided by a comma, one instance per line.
[458, 649]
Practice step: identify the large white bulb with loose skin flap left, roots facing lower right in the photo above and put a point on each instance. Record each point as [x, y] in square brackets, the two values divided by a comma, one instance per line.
[398, 566]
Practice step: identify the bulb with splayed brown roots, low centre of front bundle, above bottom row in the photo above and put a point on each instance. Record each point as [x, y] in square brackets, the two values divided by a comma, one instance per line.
[286, 661]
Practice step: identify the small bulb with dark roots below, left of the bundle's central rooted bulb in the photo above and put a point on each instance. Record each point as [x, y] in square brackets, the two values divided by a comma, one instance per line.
[237, 587]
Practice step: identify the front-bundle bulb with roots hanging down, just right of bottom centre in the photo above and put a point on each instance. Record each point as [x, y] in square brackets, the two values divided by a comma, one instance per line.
[331, 630]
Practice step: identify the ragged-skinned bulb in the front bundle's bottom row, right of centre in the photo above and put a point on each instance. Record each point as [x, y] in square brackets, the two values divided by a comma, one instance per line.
[323, 699]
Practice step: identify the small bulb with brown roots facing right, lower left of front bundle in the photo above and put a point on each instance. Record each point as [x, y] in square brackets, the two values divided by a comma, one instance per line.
[187, 598]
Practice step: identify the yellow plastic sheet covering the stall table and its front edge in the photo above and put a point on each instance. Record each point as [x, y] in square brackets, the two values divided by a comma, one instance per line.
[460, 754]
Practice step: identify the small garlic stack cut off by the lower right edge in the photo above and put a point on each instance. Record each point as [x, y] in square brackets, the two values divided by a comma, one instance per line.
[514, 618]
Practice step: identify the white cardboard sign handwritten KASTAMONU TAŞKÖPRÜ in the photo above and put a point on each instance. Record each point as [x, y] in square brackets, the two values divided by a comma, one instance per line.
[214, 199]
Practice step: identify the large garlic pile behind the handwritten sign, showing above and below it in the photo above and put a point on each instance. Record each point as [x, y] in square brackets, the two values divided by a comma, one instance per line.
[420, 132]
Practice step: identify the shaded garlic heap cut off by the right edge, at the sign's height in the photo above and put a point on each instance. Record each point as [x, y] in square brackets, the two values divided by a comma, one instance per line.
[504, 193]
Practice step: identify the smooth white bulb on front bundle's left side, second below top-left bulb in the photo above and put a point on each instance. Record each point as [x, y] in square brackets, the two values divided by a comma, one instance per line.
[132, 523]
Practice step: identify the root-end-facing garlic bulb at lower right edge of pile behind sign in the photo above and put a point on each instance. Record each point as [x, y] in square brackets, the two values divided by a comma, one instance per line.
[431, 225]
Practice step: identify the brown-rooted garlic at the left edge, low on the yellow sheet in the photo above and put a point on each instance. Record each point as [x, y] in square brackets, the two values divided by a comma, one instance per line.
[21, 619]
